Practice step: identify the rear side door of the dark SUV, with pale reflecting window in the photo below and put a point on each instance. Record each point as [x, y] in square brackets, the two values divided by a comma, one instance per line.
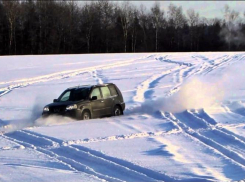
[107, 99]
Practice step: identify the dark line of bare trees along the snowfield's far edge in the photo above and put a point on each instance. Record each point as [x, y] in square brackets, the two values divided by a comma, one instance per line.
[71, 27]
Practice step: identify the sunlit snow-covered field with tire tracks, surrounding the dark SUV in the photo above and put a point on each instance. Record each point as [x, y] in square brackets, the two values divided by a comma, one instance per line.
[184, 118]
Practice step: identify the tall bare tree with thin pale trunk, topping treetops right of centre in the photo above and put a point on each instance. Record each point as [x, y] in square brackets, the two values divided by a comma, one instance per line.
[157, 19]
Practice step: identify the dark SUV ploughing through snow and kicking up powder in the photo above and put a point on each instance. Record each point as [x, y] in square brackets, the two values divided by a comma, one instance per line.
[88, 101]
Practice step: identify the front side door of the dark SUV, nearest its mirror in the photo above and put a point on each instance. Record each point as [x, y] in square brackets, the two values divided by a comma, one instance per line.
[97, 106]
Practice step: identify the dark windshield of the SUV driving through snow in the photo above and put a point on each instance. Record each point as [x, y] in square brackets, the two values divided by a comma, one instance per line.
[74, 94]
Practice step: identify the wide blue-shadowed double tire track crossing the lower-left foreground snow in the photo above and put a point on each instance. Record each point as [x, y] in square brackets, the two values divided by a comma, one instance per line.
[82, 159]
